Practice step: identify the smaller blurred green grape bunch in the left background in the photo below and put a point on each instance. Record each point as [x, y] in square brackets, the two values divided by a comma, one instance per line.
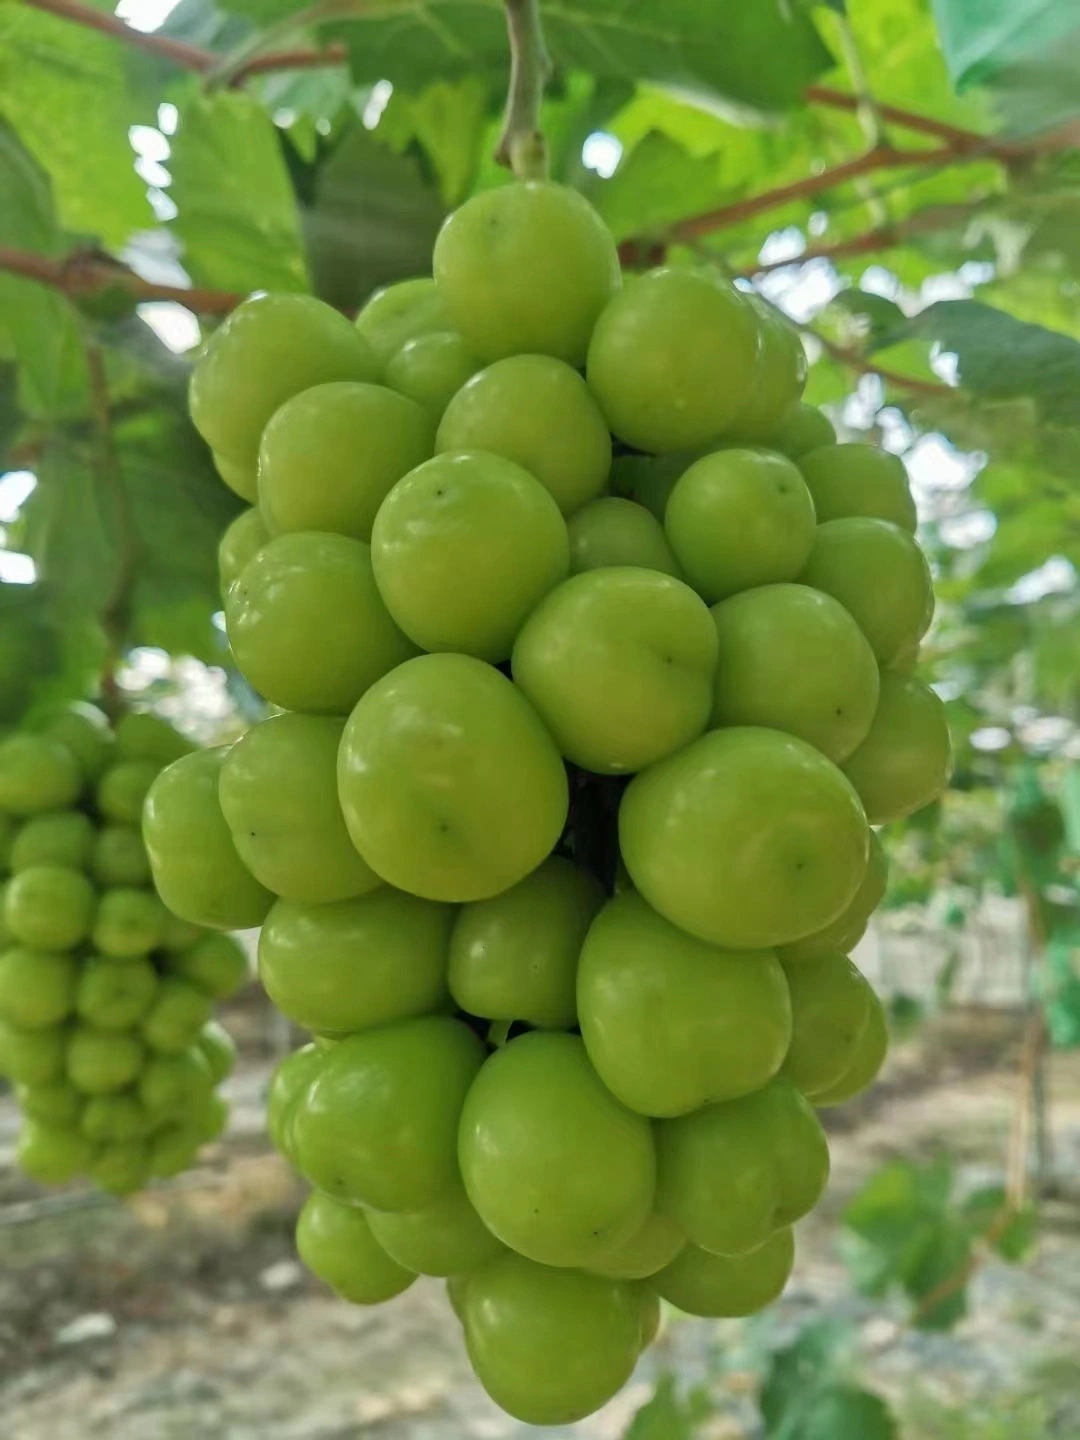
[106, 999]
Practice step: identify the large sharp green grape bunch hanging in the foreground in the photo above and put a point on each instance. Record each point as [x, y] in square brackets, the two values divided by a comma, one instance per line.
[591, 657]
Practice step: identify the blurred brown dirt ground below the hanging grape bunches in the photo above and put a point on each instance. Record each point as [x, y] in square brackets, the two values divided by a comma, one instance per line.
[184, 1315]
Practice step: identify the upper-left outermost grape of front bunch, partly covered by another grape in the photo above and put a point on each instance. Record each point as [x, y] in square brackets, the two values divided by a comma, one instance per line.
[270, 349]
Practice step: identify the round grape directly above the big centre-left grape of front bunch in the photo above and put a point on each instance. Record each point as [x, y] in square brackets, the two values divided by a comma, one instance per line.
[463, 549]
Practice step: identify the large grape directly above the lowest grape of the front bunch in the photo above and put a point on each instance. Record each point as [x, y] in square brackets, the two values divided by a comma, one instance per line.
[557, 1167]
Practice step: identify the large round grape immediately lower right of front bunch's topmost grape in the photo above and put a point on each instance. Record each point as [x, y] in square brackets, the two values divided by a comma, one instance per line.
[673, 359]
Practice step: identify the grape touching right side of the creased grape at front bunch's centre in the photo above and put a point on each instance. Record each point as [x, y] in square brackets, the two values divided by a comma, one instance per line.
[794, 660]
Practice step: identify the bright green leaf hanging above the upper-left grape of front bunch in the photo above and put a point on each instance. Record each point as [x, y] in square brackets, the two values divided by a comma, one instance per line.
[238, 221]
